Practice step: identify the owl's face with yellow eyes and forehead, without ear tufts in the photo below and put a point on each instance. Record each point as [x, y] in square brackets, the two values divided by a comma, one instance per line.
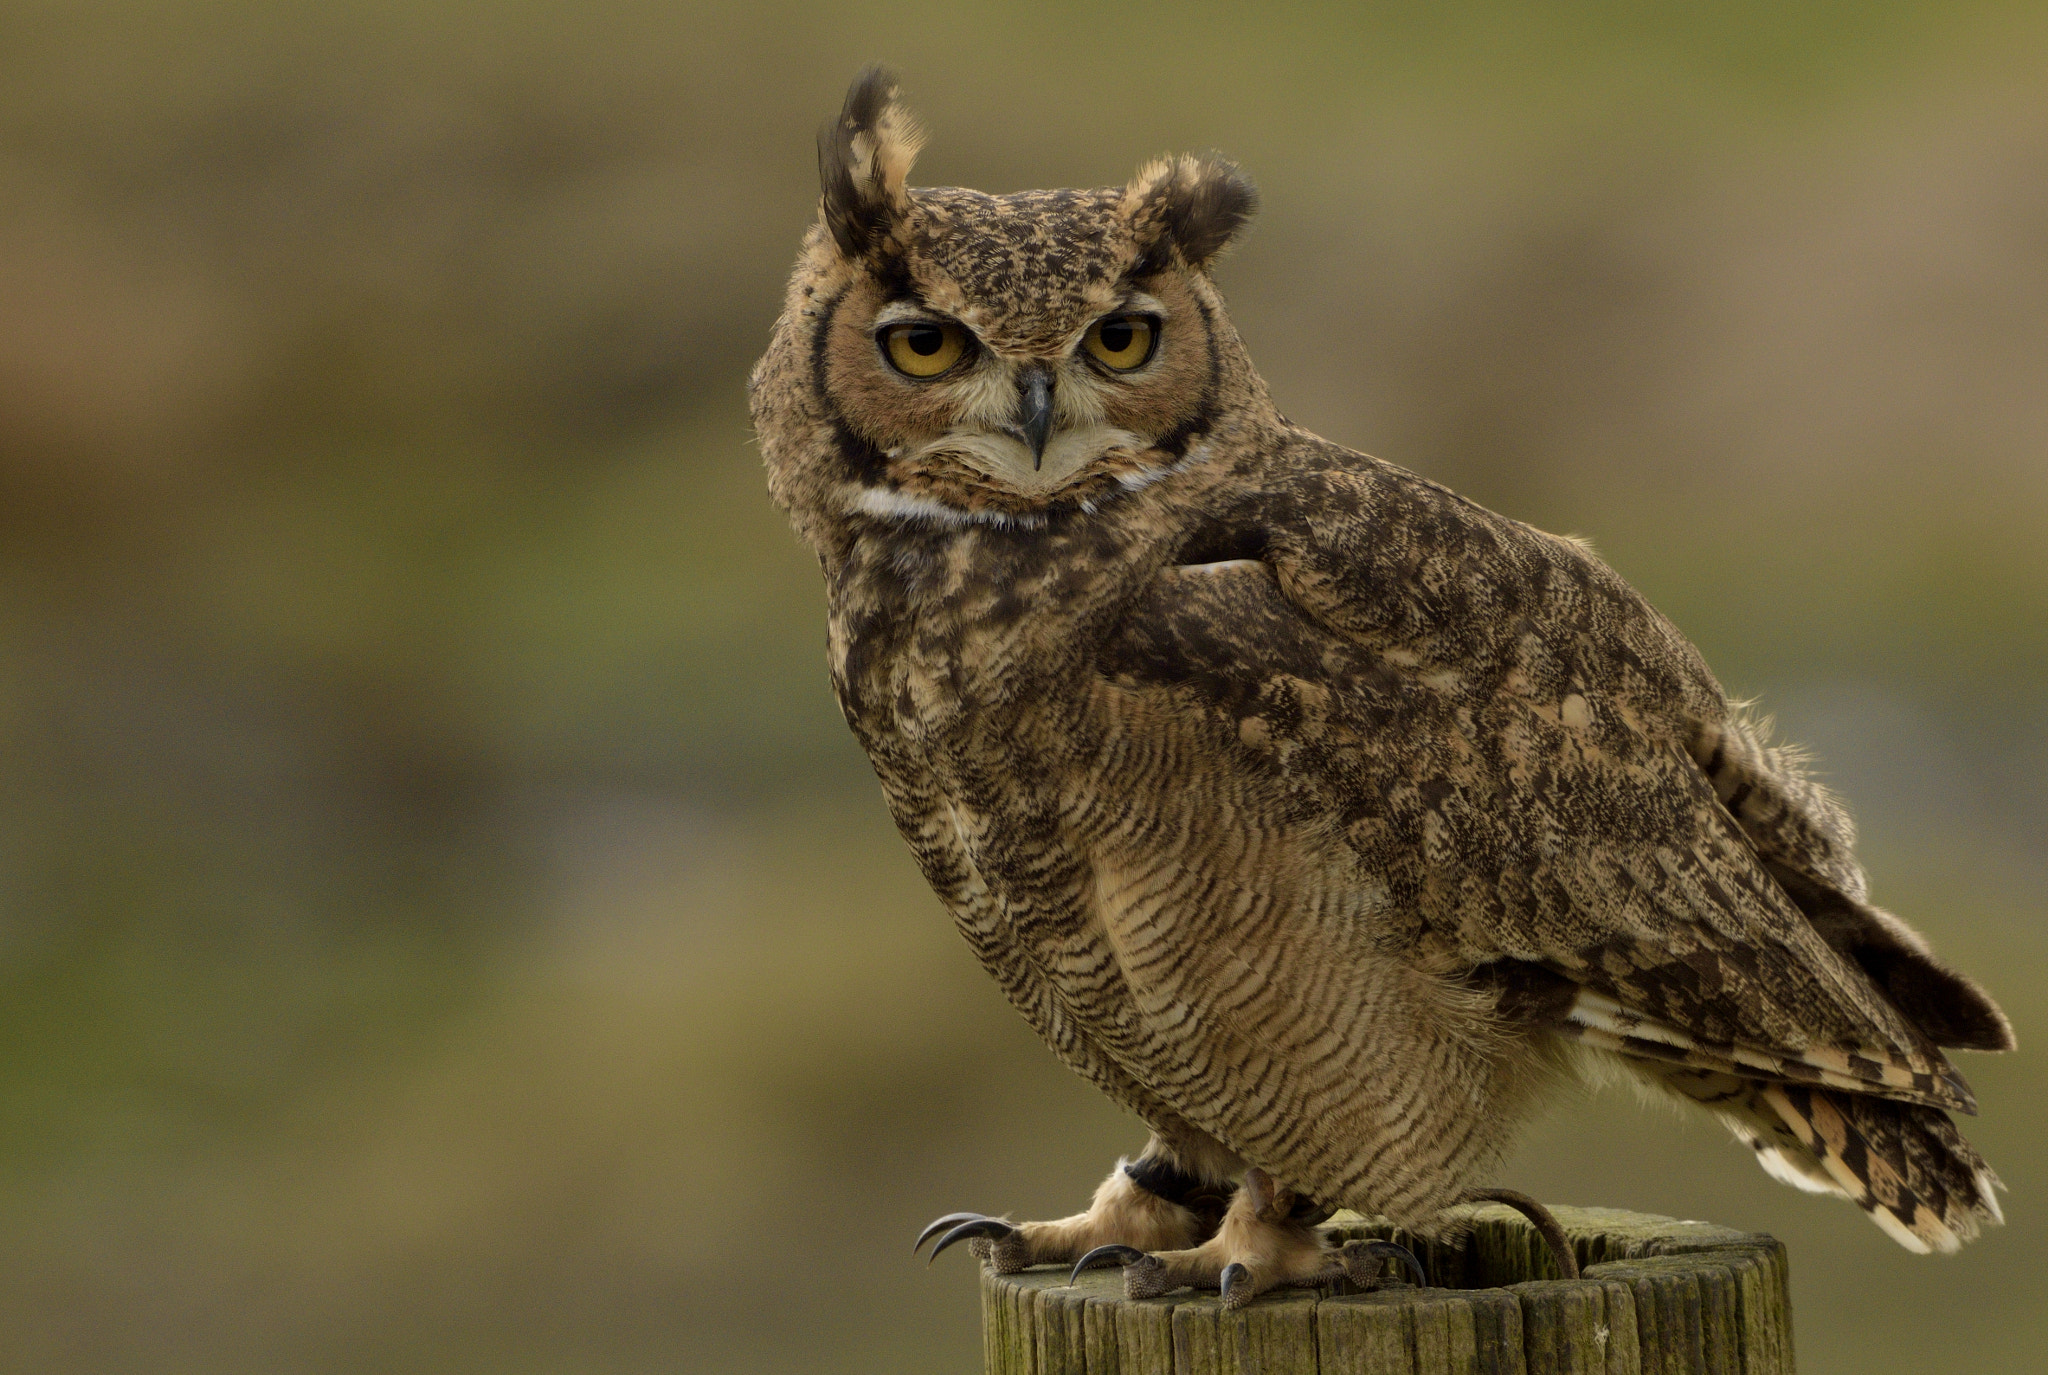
[1023, 345]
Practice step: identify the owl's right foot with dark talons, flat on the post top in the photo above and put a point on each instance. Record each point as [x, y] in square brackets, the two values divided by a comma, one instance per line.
[1265, 1243]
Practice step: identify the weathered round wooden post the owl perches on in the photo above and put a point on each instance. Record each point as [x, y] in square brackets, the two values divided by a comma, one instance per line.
[1656, 1298]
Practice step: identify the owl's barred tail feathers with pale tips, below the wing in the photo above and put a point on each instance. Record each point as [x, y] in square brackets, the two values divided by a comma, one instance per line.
[1902, 1163]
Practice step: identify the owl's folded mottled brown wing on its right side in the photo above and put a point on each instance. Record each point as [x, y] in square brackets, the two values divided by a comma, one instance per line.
[1506, 737]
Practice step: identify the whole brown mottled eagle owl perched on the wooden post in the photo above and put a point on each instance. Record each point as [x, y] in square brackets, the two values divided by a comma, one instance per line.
[1314, 812]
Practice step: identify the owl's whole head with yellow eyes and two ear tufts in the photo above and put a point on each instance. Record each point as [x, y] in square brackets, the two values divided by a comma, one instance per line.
[959, 358]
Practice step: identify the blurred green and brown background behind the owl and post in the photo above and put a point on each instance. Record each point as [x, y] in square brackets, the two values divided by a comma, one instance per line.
[443, 919]
